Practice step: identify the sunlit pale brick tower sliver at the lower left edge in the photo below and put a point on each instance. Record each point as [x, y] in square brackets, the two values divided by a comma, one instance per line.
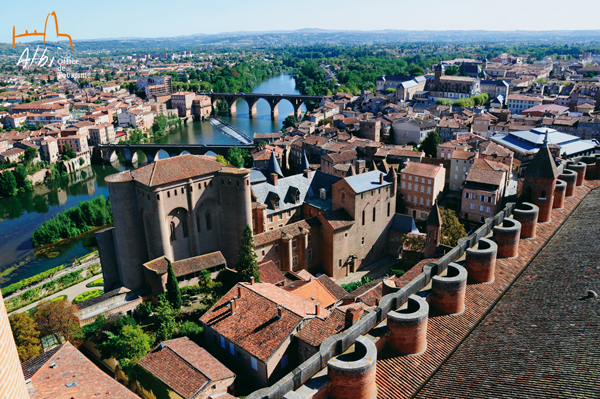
[12, 382]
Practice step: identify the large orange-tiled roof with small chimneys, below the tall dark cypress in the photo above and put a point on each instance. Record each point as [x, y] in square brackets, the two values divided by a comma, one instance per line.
[255, 325]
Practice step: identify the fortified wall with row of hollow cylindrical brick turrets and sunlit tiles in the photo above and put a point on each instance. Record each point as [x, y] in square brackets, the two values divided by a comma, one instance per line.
[398, 327]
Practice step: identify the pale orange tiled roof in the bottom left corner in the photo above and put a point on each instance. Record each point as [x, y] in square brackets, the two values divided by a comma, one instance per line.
[64, 372]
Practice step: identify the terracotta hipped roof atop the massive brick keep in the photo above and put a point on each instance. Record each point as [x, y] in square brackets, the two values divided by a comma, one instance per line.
[169, 170]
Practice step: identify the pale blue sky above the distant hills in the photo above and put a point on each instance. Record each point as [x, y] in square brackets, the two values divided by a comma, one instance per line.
[165, 18]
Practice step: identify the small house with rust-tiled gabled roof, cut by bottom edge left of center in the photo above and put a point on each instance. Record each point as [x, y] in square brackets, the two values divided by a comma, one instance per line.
[187, 370]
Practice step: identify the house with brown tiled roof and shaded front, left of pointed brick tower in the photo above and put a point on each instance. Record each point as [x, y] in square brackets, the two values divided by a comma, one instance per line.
[482, 194]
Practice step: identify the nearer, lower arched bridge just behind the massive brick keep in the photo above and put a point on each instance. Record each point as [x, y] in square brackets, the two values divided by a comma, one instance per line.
[109, 152]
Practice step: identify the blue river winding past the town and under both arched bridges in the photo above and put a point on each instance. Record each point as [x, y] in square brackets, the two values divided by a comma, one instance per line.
[22, 214]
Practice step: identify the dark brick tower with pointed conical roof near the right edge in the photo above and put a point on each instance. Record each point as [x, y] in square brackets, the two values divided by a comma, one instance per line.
[540, 181]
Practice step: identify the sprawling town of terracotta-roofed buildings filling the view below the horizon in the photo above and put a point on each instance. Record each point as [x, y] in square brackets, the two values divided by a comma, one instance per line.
[351, 253]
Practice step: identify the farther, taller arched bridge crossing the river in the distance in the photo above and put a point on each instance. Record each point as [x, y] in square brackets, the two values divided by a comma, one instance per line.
[272, 99]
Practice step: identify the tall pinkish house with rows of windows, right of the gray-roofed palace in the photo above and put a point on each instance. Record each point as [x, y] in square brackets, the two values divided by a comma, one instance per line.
[421, 184]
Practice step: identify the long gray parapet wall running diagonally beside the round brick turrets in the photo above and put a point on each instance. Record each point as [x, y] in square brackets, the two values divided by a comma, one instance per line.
[339, 343]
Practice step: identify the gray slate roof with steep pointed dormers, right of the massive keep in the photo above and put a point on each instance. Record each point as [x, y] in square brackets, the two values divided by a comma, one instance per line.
[297, 185]
